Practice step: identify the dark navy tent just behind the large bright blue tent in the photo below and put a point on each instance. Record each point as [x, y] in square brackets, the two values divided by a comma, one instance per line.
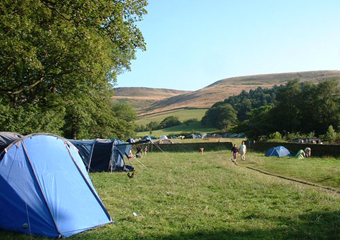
[104, 154]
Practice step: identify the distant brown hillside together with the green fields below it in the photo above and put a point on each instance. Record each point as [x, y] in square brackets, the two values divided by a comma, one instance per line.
[156, 104]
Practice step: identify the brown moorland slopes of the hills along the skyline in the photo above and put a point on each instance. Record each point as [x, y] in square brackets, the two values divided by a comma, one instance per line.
[152, 100]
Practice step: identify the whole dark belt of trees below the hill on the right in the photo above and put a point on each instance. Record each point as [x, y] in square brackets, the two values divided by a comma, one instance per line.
[297, 107]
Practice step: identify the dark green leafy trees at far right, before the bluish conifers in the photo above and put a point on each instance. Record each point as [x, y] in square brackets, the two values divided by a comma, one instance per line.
[304, 108]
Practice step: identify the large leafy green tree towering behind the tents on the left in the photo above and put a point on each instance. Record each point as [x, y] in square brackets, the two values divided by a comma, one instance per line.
[66, 54]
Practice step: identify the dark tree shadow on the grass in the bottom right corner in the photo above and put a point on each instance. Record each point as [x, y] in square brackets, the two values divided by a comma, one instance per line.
[316, 225]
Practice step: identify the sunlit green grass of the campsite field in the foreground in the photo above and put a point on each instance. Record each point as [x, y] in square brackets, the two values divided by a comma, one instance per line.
[194, 196]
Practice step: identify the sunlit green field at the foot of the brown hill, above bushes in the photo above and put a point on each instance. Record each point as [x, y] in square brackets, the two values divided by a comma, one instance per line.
[182, 114]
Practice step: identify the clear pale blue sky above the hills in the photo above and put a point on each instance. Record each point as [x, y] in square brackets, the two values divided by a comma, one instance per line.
[193, 43]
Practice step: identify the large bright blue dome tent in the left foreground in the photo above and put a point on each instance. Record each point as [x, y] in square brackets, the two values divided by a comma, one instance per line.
[45, 189]
